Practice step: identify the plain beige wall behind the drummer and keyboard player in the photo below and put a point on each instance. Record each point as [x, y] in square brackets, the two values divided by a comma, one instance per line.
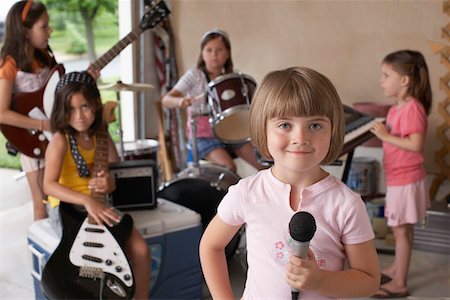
[345, 40]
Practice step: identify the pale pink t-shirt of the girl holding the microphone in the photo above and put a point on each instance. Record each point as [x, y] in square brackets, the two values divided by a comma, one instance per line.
[261, 202]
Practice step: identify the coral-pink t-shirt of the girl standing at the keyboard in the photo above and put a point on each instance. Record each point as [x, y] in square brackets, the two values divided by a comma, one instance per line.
[403, 167]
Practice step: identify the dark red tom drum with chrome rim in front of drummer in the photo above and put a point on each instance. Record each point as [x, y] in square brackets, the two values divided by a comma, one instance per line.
[229, 98]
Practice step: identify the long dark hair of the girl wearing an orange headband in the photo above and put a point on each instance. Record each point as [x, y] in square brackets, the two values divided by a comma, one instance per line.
[15, 39]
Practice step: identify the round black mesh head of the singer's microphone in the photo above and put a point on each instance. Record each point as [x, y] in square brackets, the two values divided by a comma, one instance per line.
[302, 226]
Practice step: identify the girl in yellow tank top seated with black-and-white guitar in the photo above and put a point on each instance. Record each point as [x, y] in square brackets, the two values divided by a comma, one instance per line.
[76, 119]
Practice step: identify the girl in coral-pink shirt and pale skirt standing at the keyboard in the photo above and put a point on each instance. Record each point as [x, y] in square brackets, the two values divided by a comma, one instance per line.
[404, 77]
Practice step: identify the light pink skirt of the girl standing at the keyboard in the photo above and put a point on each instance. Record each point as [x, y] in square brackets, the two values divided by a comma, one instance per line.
[406, 204]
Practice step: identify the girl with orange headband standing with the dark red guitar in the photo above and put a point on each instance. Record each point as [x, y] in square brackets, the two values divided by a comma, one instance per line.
[26, 61]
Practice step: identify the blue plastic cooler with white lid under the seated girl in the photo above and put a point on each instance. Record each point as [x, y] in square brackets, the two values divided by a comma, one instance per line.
[173, 234]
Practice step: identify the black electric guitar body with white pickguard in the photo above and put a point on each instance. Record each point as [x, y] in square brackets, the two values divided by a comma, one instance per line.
[89, 262]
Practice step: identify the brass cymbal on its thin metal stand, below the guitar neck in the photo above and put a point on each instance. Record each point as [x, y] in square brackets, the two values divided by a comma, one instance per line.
[118, 87]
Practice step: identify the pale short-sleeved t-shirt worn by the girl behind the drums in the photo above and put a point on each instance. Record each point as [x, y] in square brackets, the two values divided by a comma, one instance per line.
[193, 83]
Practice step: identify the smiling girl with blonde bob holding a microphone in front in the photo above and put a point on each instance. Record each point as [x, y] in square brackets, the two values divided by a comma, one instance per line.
[296, 119]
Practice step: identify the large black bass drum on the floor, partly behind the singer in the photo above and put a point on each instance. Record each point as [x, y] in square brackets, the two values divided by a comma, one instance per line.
[201, 189]
